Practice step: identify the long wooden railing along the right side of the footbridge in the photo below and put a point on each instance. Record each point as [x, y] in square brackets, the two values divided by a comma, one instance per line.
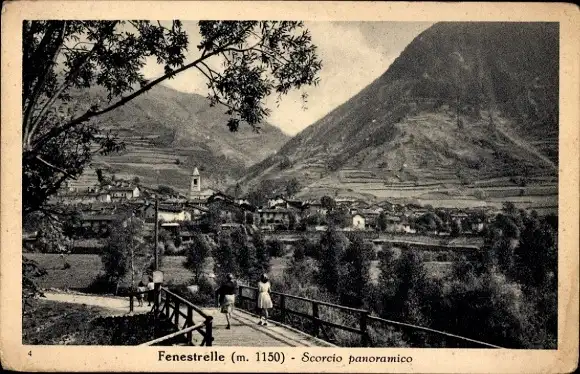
[359, 319]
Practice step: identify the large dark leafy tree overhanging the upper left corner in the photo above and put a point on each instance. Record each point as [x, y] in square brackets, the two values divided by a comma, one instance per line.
[62, 57]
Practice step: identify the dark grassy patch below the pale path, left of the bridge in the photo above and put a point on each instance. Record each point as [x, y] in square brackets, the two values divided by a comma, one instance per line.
[50, 322]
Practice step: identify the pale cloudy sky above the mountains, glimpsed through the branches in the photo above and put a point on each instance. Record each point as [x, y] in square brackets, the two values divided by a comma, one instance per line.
[353, 54]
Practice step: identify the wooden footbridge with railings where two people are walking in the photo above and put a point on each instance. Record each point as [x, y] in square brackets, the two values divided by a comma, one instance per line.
[295, 321]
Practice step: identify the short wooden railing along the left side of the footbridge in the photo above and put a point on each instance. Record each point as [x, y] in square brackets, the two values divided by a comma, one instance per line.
[181, 313]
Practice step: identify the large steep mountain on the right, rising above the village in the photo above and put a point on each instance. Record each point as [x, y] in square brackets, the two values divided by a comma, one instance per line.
[465, 108]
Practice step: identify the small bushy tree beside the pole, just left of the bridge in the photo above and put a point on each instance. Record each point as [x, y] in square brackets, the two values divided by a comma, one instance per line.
[126, 251]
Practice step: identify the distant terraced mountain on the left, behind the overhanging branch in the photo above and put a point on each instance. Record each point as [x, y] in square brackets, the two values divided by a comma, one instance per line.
[167, 133]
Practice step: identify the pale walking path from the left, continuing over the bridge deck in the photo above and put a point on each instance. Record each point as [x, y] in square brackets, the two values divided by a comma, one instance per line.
[244, 331]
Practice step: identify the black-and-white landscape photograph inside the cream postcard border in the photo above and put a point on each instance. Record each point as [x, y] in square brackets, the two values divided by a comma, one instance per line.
[271, 183]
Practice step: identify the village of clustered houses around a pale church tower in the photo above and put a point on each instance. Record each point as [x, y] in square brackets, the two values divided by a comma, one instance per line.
[283, 218]
